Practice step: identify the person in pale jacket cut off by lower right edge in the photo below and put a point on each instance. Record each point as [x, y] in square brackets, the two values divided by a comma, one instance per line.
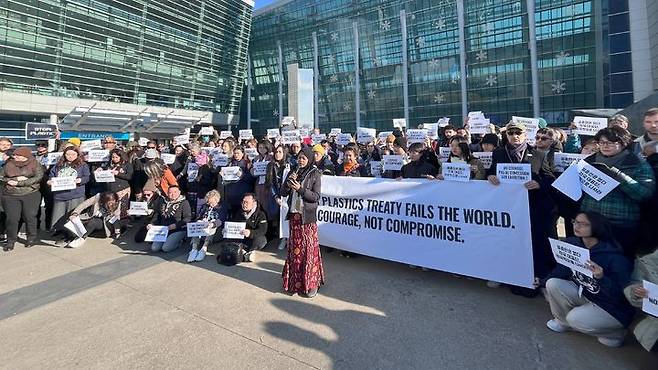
[646, 331]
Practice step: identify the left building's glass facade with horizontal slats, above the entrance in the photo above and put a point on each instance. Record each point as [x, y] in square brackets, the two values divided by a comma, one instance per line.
[186, 54]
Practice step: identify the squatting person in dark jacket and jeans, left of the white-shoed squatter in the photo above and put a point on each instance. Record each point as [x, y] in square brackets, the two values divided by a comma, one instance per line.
[173, 212]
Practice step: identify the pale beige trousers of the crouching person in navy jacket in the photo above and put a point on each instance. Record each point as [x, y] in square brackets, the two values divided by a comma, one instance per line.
[579, 313]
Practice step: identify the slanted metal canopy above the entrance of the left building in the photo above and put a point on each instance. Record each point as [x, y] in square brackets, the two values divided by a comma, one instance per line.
[96, 119]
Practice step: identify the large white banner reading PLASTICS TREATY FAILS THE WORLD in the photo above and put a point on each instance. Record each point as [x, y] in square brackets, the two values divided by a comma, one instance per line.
[473, 228]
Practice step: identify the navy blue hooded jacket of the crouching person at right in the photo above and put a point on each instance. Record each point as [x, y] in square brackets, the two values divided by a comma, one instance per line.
[607, 292]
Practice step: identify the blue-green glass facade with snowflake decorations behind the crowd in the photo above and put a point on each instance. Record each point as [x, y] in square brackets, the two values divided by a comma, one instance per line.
[377, 60]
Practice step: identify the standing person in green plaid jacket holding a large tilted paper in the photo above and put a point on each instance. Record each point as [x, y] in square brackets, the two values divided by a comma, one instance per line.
[636, 184]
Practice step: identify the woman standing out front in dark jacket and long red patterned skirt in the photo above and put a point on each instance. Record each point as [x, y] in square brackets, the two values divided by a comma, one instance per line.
[303, 272]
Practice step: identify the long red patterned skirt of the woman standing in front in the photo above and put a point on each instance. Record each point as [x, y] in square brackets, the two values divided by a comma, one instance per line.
[303, 270]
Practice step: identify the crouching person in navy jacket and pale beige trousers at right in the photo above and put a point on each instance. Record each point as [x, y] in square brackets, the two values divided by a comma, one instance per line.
[594, 306]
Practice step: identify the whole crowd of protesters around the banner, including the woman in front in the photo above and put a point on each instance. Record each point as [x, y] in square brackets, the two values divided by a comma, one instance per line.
[620, 229]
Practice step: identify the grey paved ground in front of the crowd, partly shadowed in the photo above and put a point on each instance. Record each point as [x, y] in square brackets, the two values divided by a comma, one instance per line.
[115, 306]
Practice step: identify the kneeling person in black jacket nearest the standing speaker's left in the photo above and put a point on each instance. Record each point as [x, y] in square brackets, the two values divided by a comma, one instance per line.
[255, 227]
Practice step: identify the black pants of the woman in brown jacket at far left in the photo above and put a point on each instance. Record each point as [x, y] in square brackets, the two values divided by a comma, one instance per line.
[22, 207]
